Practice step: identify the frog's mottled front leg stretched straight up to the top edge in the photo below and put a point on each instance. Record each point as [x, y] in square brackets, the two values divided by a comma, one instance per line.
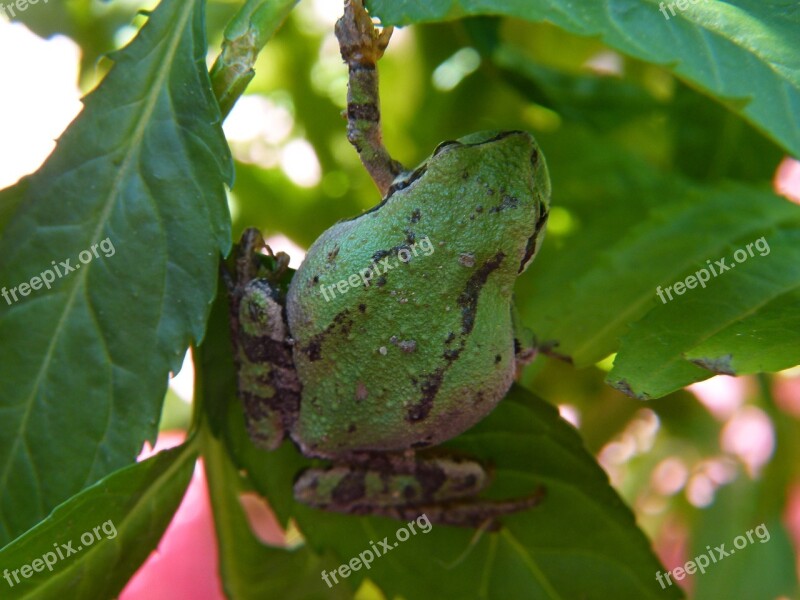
[361, 47]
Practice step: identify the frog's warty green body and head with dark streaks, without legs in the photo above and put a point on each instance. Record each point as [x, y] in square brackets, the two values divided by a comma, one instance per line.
[426, 350]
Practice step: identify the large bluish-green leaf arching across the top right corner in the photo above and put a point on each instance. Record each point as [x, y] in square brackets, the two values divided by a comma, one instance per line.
[741, 52]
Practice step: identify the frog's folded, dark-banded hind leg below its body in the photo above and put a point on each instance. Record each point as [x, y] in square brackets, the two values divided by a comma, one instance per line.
[443, 489]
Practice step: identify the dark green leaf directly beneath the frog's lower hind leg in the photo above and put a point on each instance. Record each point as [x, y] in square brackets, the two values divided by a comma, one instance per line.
[581, 527]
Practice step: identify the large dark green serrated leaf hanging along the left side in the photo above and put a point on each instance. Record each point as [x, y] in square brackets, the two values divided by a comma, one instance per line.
[143, 167]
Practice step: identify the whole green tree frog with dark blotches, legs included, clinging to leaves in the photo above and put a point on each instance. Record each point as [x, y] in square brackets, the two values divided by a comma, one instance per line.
[398, 330]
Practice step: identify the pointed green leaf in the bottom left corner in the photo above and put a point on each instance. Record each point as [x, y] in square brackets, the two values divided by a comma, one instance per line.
[125, 514]
